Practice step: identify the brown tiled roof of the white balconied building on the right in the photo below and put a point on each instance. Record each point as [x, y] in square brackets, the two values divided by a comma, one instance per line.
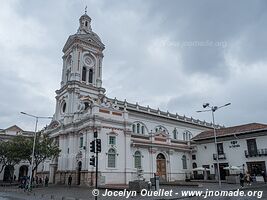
[240, 129]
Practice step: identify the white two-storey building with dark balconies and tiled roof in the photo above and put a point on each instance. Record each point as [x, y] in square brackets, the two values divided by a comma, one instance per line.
[241, 146]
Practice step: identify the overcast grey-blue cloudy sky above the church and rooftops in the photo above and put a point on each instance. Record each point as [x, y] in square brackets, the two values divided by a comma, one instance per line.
[174, 55]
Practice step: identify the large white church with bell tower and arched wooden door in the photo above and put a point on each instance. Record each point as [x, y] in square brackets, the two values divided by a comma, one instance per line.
[137, 141]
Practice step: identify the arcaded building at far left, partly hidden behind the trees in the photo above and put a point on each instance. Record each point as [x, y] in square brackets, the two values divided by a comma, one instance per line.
[20, 169]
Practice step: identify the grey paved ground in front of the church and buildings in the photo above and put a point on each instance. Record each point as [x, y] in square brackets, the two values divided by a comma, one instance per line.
[59, 192]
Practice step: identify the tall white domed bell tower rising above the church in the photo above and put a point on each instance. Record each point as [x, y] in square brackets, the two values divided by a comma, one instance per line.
[81, 72]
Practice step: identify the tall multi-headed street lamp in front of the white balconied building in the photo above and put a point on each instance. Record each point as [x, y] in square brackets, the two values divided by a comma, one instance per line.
[212, 109]
